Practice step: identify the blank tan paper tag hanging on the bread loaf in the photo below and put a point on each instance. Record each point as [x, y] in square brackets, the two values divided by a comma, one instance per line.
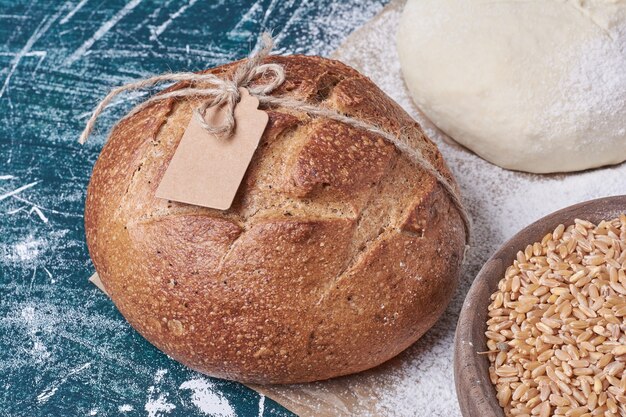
[206, 170]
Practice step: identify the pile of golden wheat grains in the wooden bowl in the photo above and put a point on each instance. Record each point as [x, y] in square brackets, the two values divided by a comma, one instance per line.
[556, 328]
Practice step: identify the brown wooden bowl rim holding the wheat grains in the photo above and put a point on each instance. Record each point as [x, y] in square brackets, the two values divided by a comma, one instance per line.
[477, 396]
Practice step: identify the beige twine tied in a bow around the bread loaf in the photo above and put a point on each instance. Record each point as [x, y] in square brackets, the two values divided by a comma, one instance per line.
[225, 92]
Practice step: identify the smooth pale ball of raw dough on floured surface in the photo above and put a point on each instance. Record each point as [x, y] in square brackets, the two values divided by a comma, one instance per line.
[537, 86]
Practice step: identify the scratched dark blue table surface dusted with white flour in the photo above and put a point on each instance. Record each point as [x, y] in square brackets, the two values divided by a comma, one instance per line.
[64, 348]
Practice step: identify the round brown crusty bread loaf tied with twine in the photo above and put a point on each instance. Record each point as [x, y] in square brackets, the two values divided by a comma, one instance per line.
[337, 254]
